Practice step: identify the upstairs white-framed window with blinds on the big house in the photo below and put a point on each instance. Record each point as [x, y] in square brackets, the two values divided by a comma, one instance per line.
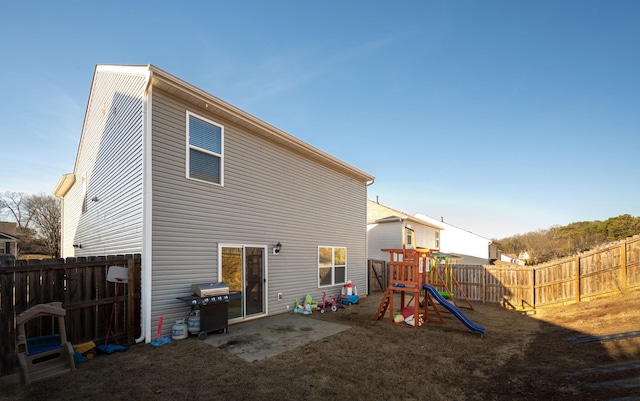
[204, 149]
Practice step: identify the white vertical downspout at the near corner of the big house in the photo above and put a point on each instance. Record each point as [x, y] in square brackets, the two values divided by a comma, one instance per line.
[145, 296]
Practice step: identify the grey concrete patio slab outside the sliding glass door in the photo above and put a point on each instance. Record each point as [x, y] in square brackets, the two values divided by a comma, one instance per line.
[270, 336]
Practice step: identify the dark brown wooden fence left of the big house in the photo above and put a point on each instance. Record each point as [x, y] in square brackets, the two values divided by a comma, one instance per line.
[82, 287]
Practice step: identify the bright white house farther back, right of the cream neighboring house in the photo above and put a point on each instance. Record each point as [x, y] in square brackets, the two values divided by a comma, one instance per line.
[472, 248]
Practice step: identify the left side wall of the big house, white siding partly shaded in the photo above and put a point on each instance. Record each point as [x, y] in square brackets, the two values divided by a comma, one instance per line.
[110, 164]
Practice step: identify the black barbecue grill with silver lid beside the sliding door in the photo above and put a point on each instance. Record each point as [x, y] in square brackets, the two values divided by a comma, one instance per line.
[213, 301]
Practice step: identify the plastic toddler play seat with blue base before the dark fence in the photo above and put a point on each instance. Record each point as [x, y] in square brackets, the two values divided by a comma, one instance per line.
[44, 356]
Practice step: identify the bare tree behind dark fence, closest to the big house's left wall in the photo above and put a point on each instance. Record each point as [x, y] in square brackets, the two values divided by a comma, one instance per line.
[44, 211]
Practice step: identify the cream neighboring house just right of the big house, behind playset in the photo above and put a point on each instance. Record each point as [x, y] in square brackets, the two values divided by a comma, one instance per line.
[386, 229]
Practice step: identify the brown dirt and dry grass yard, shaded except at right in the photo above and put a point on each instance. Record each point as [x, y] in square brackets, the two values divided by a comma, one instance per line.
[546, 354]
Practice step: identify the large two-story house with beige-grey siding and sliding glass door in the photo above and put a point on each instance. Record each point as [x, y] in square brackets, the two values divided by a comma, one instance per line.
[207, 192]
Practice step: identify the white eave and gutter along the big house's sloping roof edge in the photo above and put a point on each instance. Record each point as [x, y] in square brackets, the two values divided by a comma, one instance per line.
[177, 87]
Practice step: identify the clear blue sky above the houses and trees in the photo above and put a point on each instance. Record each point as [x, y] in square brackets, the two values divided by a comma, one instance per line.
[502, 117]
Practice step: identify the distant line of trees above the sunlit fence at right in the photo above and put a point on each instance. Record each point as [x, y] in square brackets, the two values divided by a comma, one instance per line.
[561, 241]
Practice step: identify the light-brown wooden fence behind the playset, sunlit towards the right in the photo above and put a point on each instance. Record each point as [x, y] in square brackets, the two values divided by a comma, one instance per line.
[610, 269]
